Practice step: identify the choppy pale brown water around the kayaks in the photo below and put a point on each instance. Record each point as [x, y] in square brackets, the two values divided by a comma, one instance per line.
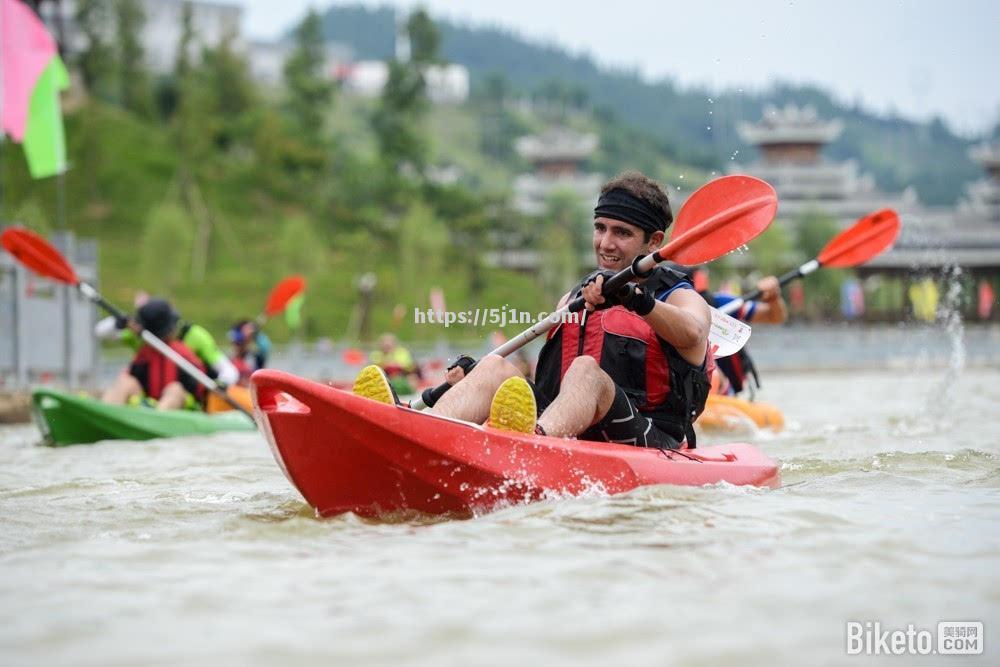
[198, 551]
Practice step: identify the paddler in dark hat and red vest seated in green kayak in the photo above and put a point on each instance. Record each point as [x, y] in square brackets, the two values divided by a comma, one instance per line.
[151, 375]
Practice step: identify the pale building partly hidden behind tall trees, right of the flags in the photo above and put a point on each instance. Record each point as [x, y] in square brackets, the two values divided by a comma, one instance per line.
[211, 21]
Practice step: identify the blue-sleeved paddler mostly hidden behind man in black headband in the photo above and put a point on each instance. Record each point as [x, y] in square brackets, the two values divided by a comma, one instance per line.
[737, 370]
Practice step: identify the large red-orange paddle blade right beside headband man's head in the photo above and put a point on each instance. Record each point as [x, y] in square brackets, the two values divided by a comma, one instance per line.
[719, 217]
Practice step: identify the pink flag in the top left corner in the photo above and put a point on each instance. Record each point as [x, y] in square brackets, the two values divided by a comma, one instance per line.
[26, 48]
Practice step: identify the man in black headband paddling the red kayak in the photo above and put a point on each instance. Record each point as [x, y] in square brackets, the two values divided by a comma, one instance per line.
[633, 369]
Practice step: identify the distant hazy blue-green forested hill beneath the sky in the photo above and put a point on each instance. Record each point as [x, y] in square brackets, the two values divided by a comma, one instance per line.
[699, 125]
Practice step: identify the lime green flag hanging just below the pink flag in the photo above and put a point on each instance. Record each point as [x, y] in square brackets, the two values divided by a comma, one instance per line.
[44, 138]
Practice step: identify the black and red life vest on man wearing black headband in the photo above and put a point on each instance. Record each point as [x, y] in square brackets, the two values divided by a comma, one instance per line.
[661, 383]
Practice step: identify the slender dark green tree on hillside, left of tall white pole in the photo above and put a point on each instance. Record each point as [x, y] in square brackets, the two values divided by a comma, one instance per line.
[310, 92]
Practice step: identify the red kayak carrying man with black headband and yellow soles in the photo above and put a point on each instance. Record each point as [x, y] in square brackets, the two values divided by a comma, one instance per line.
[345, 453]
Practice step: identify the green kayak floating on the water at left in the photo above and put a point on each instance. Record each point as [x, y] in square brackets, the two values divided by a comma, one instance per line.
[65, 419]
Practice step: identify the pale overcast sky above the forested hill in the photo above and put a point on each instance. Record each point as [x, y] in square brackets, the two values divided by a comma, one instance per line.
[918, 57]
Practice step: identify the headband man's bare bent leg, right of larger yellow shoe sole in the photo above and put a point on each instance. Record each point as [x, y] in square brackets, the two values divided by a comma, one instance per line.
[585, 396]
